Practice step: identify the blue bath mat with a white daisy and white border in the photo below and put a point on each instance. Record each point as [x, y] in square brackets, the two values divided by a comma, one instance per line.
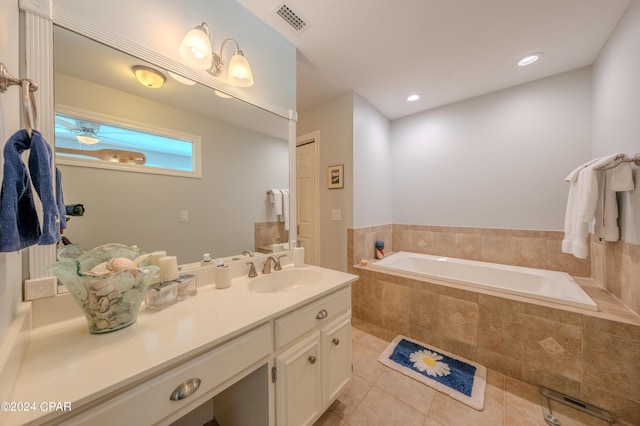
[457, 377]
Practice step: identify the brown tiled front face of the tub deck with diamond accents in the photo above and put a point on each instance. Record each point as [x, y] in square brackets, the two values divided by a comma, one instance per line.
[593, 356]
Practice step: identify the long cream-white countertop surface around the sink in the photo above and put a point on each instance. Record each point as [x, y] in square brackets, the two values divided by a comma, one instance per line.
[65, 363]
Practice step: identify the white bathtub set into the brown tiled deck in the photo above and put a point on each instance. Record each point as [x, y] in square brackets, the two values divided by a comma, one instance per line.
[540, 284]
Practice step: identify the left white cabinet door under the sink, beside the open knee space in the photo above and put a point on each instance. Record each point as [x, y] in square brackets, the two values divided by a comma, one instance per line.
[298, 387]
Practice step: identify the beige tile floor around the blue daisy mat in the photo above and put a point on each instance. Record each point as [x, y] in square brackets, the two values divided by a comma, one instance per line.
[378, 395]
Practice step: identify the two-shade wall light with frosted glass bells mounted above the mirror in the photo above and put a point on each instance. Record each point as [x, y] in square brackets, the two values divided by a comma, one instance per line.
[196, 50]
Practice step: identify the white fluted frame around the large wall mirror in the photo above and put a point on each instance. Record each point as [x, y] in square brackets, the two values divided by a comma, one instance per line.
[37, 34]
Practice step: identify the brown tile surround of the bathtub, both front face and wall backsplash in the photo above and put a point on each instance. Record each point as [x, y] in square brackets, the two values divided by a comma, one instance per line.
[594, 356]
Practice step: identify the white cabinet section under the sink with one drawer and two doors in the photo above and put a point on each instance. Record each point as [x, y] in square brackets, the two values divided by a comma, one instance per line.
[313, 358]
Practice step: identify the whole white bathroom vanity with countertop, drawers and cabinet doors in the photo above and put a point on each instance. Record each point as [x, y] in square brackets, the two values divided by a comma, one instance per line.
[291, 344]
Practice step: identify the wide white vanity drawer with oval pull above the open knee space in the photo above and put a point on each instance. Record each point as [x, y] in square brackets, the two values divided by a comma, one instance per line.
[149, 402]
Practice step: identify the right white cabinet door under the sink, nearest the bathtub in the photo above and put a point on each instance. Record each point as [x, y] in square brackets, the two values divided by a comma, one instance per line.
[336, 357]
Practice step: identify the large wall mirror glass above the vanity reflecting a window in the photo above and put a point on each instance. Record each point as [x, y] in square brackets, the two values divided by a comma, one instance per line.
[244, 152]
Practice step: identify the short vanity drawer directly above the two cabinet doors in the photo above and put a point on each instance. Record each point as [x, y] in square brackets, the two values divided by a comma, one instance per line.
[296, 324]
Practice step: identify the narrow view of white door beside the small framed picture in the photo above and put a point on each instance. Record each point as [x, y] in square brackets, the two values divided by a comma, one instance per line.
[307, 195]
